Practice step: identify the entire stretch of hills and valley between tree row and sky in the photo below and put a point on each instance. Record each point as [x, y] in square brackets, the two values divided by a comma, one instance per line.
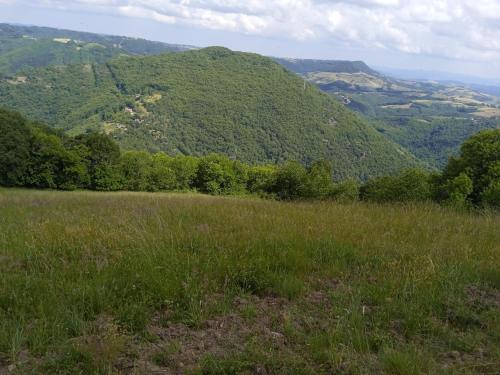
[254, 114]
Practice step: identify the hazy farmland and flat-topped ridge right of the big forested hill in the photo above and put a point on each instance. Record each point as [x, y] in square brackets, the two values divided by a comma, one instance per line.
[431, 119]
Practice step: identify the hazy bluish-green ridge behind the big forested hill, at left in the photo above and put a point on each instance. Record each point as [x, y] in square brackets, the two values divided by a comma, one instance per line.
[31, 46]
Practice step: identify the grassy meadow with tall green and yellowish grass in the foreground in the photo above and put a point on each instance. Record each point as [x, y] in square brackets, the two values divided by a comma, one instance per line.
[99, 283]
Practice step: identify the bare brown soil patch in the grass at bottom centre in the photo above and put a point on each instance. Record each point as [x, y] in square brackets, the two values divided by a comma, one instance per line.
[178, 348]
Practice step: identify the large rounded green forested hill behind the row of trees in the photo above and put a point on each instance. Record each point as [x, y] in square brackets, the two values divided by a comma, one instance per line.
[211, 100]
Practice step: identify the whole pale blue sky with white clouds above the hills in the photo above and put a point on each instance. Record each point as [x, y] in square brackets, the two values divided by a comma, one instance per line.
[457, 36]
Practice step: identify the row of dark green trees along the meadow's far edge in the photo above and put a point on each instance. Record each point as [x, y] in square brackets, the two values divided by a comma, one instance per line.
[37, 156]
